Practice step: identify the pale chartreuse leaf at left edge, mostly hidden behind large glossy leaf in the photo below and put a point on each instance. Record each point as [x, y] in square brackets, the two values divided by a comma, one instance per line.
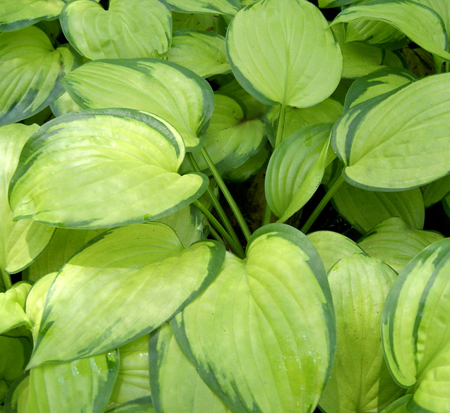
[20, 241]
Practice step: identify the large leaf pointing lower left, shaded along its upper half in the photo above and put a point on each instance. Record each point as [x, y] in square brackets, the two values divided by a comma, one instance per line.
[123, 285]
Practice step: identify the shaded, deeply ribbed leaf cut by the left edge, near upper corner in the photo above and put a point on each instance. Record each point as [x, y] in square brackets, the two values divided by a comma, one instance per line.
[30, 73]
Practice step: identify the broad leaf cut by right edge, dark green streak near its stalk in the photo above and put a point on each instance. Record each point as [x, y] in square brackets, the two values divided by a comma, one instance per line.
[394, 145]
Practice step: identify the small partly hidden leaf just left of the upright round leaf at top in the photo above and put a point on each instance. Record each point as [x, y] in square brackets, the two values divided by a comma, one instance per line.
[201, 52]
